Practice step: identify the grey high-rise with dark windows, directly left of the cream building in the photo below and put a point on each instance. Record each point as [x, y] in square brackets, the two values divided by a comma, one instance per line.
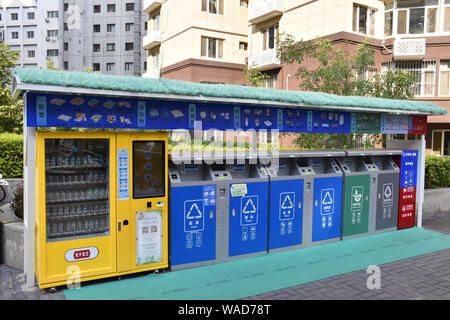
[105, 36]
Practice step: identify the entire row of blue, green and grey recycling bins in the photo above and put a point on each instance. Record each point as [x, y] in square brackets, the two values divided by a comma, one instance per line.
[231, 211]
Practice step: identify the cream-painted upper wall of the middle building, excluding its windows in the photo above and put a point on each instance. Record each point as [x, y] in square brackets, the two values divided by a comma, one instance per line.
[183, 24]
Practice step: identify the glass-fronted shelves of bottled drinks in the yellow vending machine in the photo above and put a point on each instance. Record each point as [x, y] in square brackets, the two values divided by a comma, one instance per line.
[77, 188]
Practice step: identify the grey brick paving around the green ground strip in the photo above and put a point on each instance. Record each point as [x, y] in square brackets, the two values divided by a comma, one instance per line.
[422, 277]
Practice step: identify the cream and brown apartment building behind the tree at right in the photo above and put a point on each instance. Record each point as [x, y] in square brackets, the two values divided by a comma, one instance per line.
[411, 35]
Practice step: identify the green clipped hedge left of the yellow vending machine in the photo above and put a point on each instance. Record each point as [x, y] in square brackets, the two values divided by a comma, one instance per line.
[11, 155]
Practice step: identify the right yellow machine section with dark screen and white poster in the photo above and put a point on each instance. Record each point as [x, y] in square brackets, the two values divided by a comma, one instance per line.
[142, 220]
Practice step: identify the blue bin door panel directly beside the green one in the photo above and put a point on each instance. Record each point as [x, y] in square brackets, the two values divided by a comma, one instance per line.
[327, 208]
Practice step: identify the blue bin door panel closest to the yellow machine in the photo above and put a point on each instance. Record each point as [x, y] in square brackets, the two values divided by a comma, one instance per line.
[193, 224]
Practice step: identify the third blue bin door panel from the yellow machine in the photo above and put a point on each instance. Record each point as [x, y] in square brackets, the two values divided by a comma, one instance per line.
[286, 213]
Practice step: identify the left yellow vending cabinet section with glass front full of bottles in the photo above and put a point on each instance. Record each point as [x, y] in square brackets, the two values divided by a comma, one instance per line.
[75, 234]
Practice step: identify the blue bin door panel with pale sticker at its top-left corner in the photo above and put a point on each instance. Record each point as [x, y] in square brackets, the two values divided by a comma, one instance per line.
[248, 220]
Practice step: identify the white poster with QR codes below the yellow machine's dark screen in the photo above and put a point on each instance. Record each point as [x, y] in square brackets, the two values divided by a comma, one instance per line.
[149, 237]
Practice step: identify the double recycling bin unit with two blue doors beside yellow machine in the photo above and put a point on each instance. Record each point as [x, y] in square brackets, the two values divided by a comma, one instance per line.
[218, 212]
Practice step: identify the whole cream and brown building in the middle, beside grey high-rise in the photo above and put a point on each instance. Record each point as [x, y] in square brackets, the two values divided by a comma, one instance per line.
[202, 41]
